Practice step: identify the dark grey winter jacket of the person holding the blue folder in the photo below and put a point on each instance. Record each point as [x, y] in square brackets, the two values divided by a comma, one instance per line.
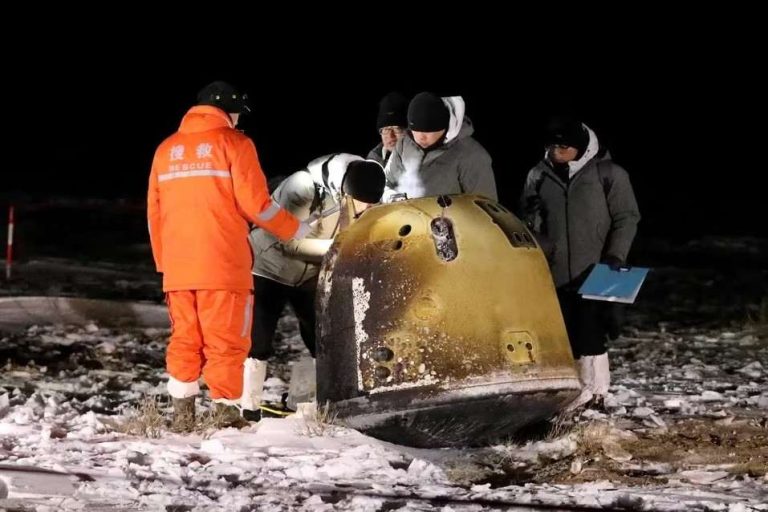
[593, 216]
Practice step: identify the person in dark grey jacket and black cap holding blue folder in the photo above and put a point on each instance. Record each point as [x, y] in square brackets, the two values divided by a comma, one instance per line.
[581, 206]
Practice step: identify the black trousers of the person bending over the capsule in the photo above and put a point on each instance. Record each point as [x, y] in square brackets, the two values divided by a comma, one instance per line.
[269, 300]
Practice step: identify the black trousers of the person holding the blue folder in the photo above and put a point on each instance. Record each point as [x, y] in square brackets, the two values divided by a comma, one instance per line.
[585, 321]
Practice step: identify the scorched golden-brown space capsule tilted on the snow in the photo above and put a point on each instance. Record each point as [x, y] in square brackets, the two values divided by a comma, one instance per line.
[439, 325]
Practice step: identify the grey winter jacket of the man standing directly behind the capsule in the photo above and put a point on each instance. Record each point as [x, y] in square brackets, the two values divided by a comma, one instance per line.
[460, 166]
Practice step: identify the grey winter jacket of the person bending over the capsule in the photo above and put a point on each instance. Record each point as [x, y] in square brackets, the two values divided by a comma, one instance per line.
[306, 193]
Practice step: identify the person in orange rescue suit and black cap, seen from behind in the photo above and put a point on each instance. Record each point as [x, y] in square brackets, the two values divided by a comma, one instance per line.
[205, 187]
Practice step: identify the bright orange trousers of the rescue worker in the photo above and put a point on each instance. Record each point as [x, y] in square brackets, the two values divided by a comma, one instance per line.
[210, 336]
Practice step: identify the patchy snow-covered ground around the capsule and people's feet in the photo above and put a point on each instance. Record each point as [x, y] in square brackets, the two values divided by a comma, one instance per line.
[686, 426]
